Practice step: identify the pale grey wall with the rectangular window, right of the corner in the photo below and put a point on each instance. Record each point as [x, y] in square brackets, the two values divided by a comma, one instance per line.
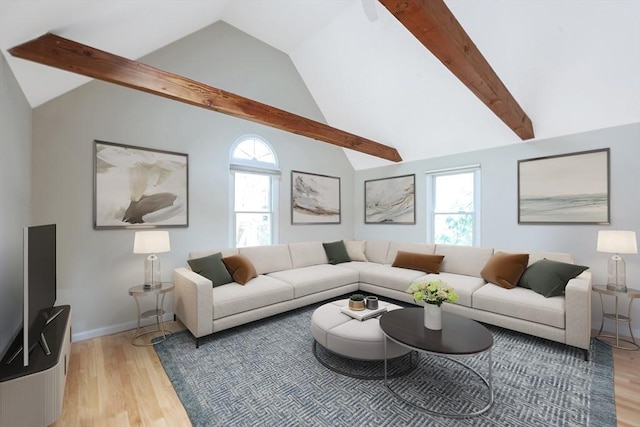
[500, 228]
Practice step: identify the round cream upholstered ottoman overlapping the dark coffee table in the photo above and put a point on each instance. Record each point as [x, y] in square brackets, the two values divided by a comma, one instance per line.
[352, 338]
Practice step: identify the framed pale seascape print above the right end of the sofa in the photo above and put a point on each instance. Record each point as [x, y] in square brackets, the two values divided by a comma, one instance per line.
[565, 189]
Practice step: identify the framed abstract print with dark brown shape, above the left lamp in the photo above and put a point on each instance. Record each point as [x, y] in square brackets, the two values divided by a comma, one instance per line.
[138, 187]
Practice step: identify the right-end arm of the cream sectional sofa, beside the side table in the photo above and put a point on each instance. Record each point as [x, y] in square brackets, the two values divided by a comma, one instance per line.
[578, 311]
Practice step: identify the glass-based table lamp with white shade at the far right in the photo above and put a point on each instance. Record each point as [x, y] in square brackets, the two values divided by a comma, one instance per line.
[617, 242]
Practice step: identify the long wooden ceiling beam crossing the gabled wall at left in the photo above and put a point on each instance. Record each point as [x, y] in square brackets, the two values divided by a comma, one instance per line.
[68, 55]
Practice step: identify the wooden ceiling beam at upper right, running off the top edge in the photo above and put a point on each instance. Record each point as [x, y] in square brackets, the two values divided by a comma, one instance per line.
[433, 24]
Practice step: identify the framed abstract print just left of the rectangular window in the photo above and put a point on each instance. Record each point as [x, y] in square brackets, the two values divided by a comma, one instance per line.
[390, 200]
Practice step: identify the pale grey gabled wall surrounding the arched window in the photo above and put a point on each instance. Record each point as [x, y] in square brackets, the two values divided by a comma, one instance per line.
[96, 267]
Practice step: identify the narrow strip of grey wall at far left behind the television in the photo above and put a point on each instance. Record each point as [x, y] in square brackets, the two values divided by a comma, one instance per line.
[15, 187]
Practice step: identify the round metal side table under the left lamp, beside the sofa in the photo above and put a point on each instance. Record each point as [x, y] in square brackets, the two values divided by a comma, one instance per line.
[159, 292]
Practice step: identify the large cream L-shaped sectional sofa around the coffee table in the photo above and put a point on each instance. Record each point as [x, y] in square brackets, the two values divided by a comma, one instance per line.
[298, 274]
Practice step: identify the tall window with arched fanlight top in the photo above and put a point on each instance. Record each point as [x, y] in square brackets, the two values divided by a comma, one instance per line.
[254, 172]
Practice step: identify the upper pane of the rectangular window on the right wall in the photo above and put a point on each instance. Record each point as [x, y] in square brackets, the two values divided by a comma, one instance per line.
[454, 193]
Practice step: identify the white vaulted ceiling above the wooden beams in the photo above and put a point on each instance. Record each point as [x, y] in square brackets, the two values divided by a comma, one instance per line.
[572, 65]
